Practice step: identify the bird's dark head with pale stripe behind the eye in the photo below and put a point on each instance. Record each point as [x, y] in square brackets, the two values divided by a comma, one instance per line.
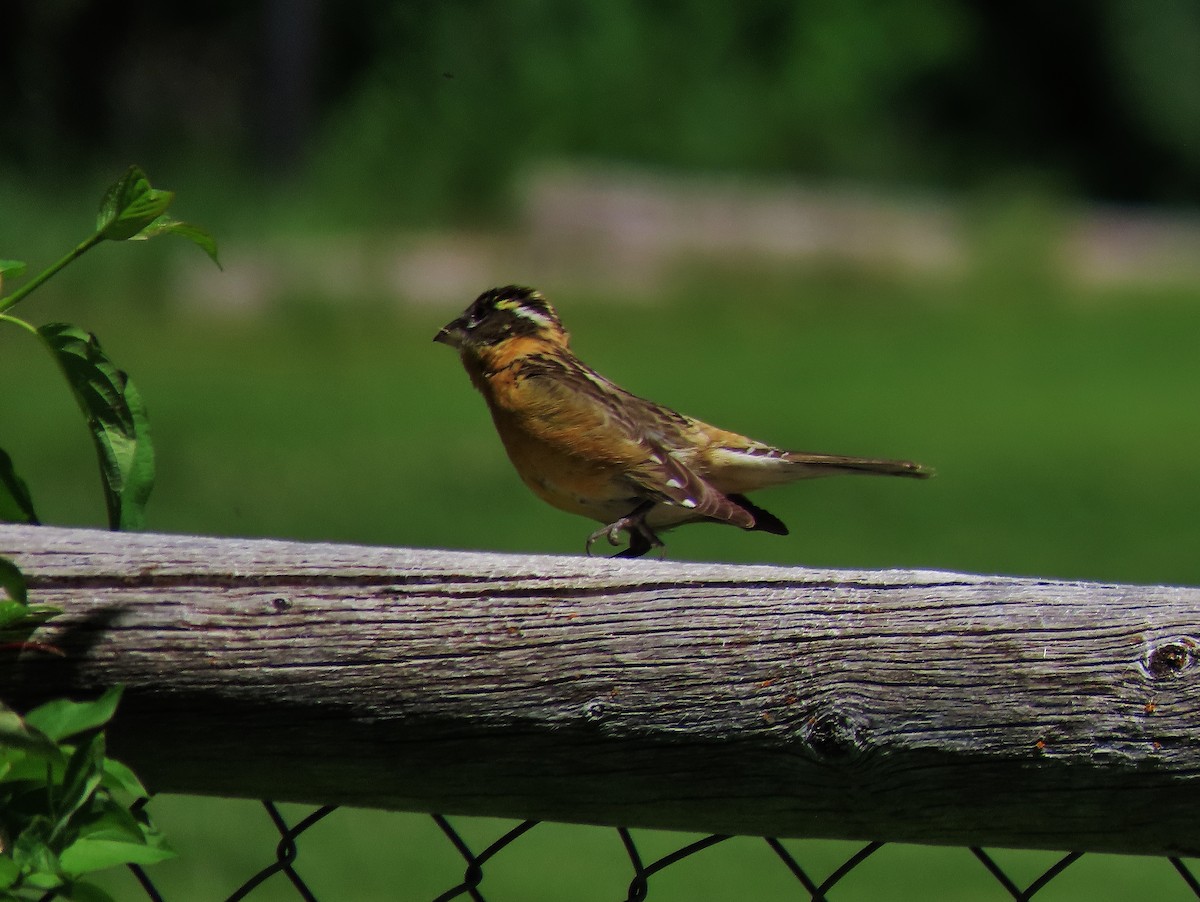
[501, 315]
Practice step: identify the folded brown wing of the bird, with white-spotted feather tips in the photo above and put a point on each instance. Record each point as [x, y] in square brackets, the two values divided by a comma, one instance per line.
[591, 417]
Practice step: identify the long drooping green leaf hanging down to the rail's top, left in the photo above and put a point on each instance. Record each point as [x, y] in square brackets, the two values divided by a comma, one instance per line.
[116, 418]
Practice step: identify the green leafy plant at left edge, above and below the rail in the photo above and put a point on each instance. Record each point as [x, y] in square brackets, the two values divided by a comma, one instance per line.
[61, 813]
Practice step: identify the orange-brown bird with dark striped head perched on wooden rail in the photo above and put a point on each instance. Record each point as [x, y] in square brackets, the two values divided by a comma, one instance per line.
[587, 447]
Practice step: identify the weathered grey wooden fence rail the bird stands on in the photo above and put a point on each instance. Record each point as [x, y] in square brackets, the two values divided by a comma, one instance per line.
[901, 706]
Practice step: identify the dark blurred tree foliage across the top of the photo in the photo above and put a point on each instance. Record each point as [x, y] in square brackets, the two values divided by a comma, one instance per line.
[451, 98]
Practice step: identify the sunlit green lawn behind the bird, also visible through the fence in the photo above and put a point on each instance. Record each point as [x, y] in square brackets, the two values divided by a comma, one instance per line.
[1063, 424]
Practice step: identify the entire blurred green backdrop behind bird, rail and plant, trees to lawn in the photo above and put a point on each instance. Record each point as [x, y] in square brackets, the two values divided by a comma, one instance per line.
[957, 232]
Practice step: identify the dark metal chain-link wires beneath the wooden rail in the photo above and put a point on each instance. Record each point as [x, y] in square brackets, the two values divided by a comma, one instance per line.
[471, 886]
